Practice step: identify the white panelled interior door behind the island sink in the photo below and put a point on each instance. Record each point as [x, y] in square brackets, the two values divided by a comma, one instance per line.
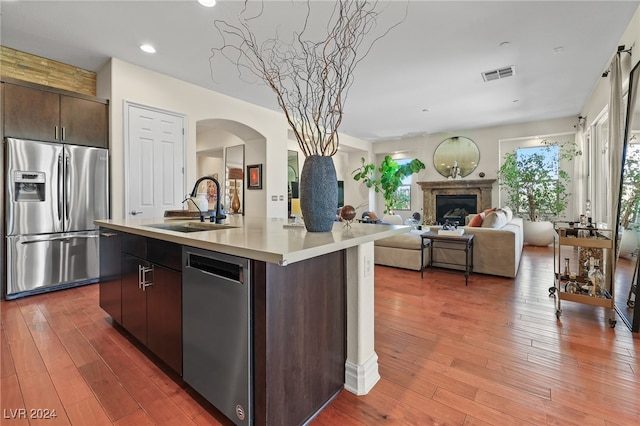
[154, 180]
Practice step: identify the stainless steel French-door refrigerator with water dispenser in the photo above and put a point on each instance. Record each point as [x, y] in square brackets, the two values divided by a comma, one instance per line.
[54, 192]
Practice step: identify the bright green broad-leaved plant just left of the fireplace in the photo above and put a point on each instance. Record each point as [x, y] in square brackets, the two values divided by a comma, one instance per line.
[387, 178]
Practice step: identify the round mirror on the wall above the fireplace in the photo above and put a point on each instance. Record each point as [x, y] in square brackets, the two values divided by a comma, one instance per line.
[456, 157]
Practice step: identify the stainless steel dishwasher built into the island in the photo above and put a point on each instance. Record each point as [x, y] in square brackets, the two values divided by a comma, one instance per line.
[216, 332]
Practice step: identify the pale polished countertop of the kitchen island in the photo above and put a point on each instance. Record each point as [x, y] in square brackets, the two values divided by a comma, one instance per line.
[264, 239]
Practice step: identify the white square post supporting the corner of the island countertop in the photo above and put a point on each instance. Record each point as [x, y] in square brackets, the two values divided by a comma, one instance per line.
[362, 361]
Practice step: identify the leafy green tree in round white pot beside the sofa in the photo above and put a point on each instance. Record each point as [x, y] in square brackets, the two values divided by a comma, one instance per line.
[537, 186]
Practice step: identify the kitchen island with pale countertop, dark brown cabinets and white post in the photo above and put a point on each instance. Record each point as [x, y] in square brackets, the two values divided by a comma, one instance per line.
[310, 308]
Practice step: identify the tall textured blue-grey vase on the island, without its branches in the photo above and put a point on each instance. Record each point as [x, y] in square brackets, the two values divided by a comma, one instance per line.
[318, 193]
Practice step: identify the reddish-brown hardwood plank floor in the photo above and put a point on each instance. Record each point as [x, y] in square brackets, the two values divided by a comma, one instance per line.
[490, 353]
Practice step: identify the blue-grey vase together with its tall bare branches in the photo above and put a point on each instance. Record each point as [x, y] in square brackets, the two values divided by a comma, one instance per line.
[310, 75]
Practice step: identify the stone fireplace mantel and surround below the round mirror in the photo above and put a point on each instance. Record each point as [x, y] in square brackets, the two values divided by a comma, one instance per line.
[480, 187]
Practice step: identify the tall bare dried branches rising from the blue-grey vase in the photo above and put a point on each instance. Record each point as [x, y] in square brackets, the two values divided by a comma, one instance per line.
[311, 78]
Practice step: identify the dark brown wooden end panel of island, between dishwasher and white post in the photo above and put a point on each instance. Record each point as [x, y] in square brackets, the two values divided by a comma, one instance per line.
[299, 324]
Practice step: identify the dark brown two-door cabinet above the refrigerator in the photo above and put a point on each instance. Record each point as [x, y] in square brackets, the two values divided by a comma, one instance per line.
[52, 116]
